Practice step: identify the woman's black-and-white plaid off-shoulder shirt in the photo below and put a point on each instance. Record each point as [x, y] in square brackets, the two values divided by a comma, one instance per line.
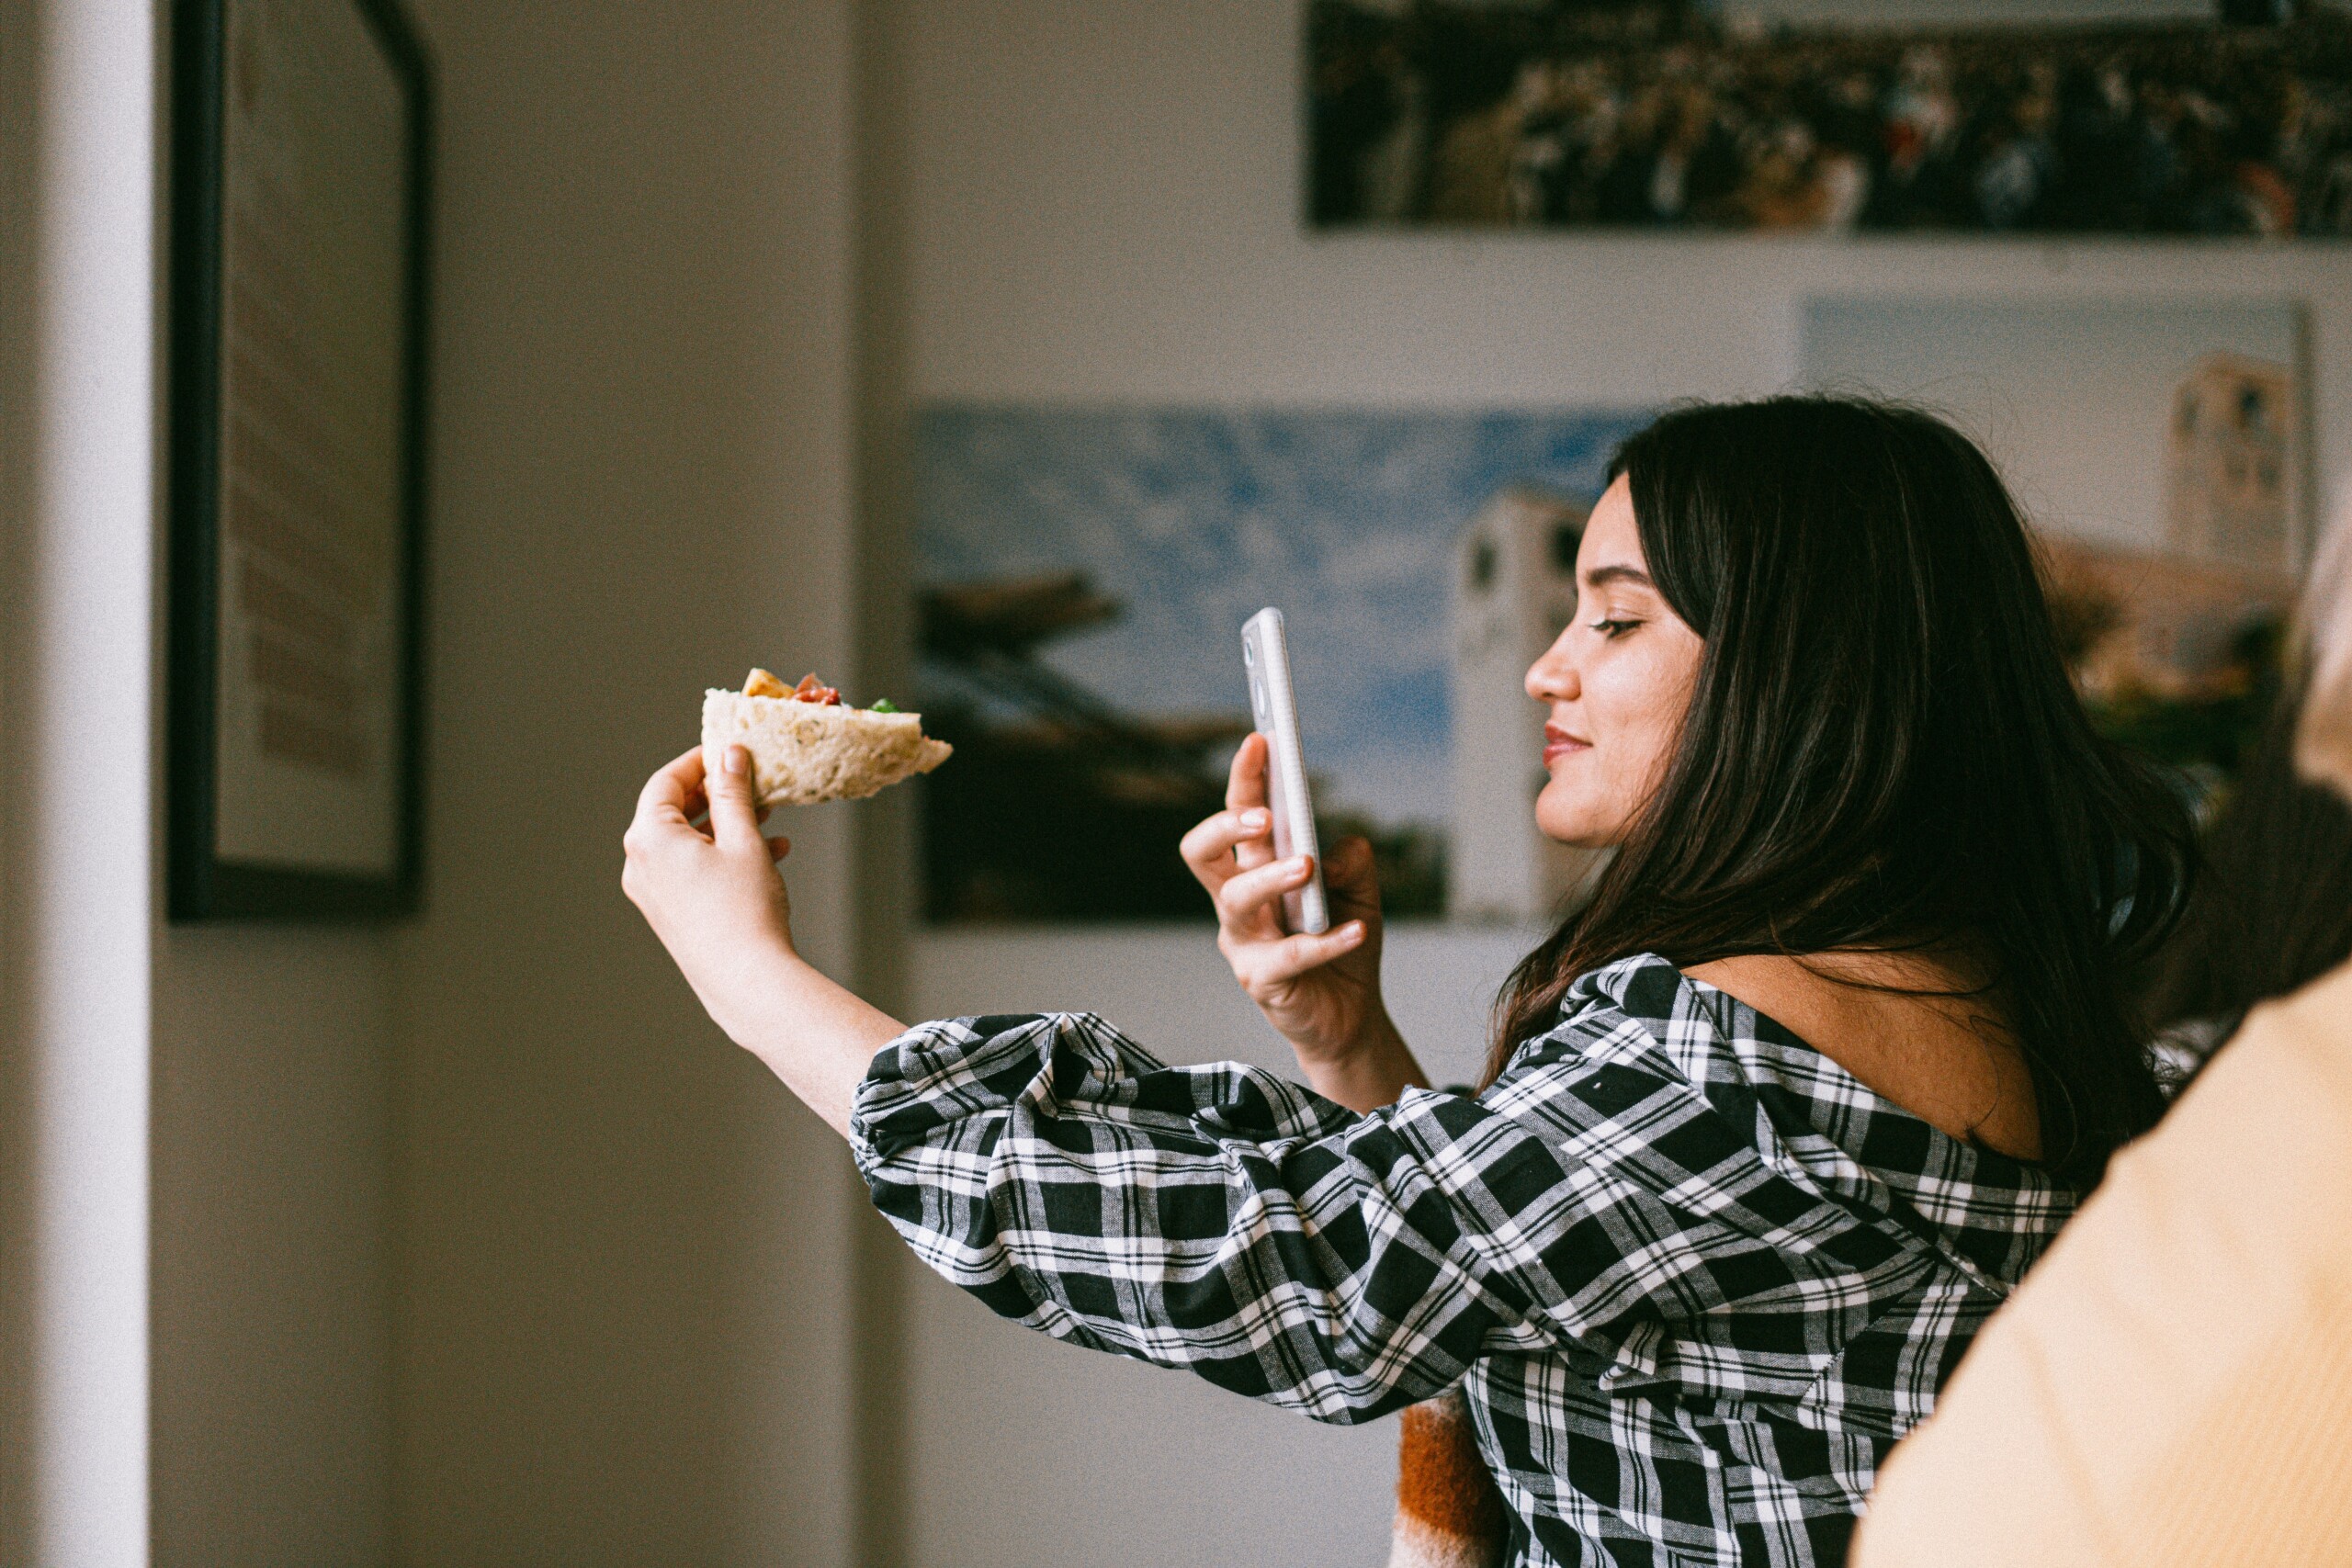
[1697, 1275]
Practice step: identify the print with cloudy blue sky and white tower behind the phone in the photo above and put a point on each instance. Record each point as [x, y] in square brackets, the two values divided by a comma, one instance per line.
[1083, 577]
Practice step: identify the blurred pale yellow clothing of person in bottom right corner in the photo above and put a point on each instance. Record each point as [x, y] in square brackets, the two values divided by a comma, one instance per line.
[2174, 1381]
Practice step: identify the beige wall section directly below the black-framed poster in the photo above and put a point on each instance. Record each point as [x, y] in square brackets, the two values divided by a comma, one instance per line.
[272, 1247]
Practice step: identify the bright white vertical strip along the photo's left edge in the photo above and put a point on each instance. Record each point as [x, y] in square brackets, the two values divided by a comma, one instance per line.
[76, 521]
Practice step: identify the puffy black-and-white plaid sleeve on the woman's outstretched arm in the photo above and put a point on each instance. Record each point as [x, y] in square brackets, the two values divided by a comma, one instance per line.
[1215, 1219]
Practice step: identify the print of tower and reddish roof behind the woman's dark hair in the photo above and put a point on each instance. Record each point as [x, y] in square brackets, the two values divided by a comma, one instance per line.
[2163, 455]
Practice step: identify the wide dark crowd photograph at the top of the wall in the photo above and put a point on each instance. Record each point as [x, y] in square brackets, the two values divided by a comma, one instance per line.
[1833, 116]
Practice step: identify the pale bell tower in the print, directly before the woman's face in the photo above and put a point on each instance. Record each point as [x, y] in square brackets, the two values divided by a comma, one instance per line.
[1514, 594]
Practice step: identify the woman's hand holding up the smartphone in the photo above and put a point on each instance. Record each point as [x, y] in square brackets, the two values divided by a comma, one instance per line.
[1323, 993]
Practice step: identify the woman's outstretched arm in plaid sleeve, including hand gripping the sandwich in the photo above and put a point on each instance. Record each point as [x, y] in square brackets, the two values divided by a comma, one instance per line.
[1212, 1219]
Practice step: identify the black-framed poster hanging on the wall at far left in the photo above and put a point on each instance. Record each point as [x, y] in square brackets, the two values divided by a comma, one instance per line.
[300, 147]
